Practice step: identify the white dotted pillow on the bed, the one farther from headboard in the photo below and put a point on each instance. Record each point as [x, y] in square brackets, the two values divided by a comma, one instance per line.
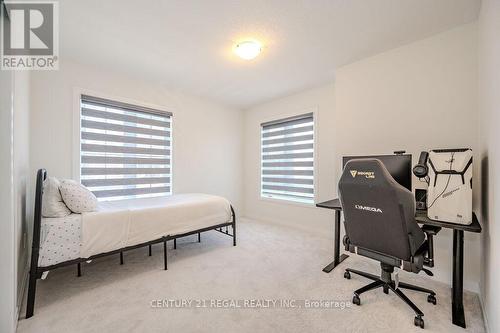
[77, 197]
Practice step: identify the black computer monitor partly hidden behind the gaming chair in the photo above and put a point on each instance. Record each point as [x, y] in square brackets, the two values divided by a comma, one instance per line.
[399, 166]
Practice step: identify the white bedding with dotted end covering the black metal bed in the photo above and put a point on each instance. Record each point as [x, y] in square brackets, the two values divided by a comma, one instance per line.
[123, 223]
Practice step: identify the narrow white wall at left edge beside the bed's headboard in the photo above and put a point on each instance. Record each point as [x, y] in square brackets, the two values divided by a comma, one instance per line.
[14, 149]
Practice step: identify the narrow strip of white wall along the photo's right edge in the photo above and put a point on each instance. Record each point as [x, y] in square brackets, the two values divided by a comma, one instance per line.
[489, 106]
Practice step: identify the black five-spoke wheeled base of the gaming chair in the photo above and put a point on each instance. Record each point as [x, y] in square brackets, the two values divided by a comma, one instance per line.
[386, 282]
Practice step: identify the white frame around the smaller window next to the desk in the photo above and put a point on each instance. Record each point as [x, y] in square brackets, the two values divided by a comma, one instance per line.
[282, 116]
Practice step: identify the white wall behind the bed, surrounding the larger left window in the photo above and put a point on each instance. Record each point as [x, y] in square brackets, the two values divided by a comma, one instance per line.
[206, 136]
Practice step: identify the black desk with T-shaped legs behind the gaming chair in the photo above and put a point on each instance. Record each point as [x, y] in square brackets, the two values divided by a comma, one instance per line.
[421, 217]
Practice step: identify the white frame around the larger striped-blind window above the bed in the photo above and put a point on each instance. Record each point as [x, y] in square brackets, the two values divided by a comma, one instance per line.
[76, 160]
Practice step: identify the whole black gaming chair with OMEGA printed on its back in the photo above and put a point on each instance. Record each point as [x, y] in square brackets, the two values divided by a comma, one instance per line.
[380, 224]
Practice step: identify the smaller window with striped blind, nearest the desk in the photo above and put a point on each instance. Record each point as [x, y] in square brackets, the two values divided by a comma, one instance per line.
[287, 169]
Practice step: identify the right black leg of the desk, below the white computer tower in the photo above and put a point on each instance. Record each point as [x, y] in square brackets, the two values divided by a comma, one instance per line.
[458, 278]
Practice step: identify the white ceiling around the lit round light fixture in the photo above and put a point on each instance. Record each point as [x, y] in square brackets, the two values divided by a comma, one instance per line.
[187, 44]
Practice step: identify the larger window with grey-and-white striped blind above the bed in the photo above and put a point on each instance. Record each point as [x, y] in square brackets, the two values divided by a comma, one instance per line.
[125, 149]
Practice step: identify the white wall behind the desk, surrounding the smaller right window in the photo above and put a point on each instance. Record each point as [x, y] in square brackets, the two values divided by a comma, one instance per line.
[416, 97]
